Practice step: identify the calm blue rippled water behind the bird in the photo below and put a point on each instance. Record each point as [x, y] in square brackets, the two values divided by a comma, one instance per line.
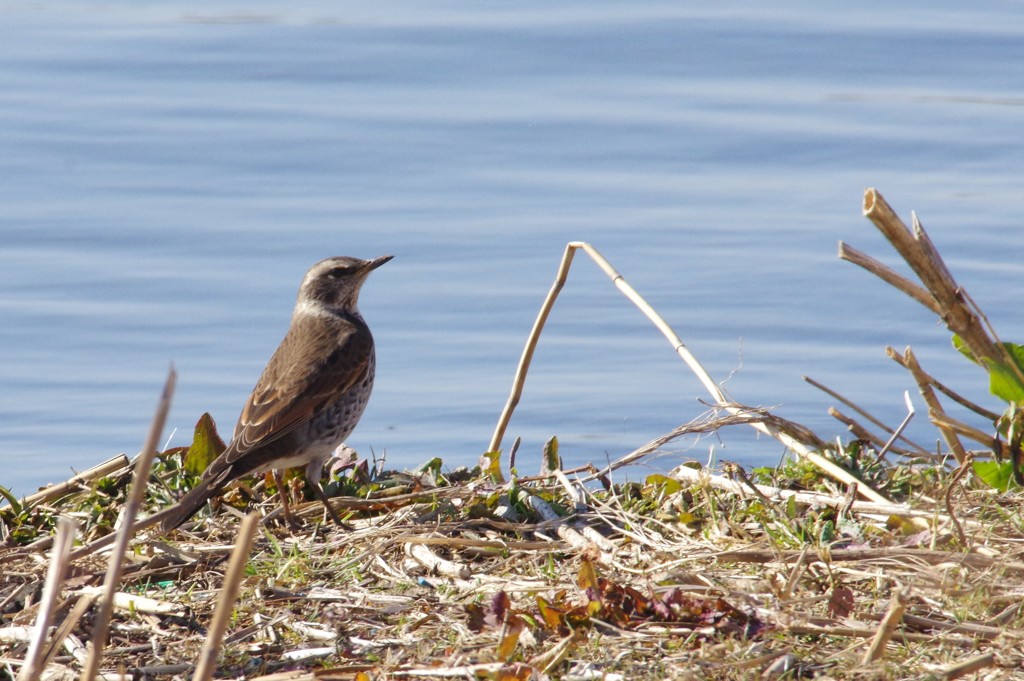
[167, 175]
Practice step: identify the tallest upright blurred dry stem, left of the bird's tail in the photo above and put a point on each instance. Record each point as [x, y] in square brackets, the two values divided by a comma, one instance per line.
[106, 608]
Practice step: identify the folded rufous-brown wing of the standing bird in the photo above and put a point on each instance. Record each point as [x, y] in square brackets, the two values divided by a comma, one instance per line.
[293, 390]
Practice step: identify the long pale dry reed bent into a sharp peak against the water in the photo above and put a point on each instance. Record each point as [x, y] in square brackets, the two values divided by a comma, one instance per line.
[718, 395]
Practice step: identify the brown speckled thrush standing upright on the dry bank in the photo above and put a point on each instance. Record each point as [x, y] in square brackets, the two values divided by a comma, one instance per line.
[310, 397]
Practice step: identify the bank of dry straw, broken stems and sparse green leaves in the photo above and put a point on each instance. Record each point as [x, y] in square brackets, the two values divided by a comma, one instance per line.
[877, 559]
